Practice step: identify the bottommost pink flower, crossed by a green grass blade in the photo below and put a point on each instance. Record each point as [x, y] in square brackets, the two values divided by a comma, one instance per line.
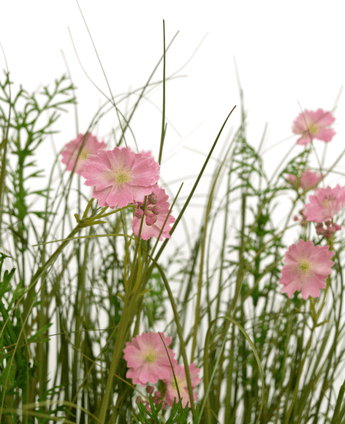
[181, 379]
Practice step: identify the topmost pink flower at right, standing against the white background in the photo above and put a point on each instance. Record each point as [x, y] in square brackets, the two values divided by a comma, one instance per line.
[313, 125]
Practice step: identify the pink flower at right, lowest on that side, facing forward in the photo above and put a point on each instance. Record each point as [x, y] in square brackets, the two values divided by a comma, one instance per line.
[306, 268]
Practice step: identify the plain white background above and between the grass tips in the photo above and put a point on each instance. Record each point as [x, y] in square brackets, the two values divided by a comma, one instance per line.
[285, 52]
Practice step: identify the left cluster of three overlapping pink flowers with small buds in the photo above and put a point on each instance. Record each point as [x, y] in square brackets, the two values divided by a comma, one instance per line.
[121, 177]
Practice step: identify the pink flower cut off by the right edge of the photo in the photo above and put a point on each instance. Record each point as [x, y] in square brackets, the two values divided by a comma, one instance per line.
[326, 203]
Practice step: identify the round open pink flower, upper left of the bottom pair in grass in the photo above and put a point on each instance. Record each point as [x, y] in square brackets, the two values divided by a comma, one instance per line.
[147, 358]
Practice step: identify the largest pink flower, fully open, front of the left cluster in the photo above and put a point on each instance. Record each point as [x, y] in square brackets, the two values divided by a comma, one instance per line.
[120, 176]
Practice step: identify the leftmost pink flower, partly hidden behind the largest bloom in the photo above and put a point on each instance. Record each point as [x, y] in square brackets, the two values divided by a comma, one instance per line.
[70, 154]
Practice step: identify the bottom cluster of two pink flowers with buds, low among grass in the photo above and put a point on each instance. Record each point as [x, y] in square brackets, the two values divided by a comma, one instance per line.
[148, 362]
